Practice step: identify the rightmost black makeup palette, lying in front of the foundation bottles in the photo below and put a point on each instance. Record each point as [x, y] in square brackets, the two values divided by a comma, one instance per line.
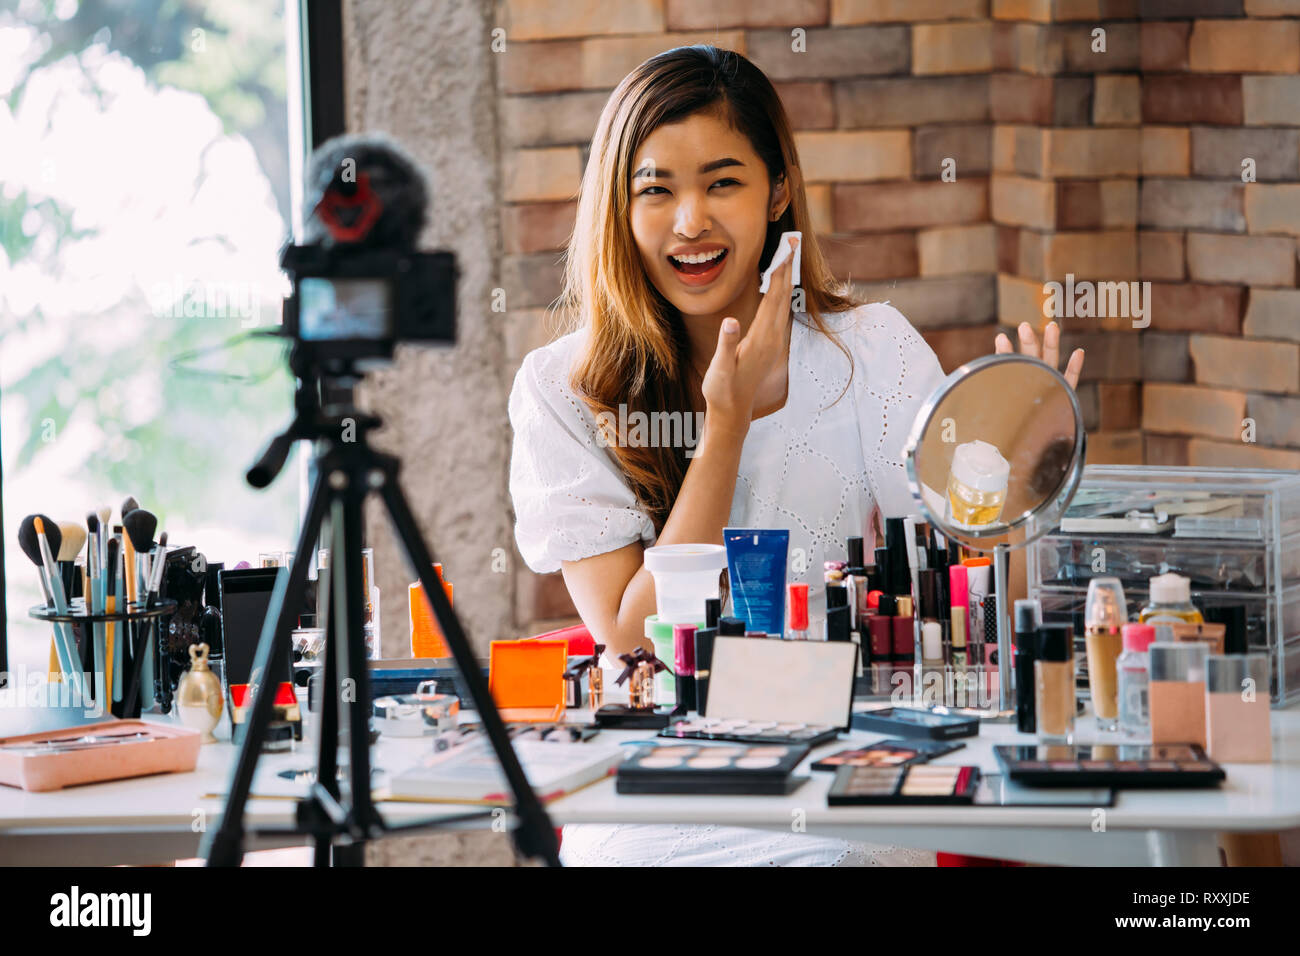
[1111, 765]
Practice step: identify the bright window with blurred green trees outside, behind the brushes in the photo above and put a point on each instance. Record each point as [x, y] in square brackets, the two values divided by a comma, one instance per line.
[145, 194]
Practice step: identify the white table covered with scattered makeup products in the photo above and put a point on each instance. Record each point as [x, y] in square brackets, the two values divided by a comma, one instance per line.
[158, 819]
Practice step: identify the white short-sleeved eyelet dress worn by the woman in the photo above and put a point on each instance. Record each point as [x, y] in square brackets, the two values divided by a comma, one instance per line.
[817, 466]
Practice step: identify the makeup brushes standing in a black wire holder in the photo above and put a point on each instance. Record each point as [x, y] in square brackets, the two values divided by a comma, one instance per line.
[106, 612]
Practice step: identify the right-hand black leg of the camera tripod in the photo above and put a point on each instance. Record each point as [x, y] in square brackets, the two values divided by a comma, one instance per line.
[535, 837]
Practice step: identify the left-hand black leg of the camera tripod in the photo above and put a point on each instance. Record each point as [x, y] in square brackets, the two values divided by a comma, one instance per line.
[223, 846]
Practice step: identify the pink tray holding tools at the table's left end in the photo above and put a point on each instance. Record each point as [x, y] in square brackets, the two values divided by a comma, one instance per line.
[170, 750]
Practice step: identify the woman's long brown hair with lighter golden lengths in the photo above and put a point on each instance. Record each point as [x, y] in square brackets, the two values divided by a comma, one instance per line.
[638, 351]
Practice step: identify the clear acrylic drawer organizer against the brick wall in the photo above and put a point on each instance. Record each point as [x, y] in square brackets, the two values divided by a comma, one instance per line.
[1236, 533]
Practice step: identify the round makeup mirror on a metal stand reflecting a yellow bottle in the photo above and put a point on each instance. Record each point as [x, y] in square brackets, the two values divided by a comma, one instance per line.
[994, 458]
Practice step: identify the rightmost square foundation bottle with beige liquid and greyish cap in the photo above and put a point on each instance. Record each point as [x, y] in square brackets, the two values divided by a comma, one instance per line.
[1237, 710]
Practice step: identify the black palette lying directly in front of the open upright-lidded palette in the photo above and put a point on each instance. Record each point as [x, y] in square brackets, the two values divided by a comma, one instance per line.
[765, 769]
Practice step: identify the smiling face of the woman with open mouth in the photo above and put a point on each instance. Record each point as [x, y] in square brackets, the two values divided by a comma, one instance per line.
[700, 191]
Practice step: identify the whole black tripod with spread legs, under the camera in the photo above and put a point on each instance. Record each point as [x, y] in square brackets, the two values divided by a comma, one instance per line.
[340, 814]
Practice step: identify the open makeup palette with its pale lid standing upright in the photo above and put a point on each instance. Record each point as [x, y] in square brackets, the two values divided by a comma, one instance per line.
[769, 691]
